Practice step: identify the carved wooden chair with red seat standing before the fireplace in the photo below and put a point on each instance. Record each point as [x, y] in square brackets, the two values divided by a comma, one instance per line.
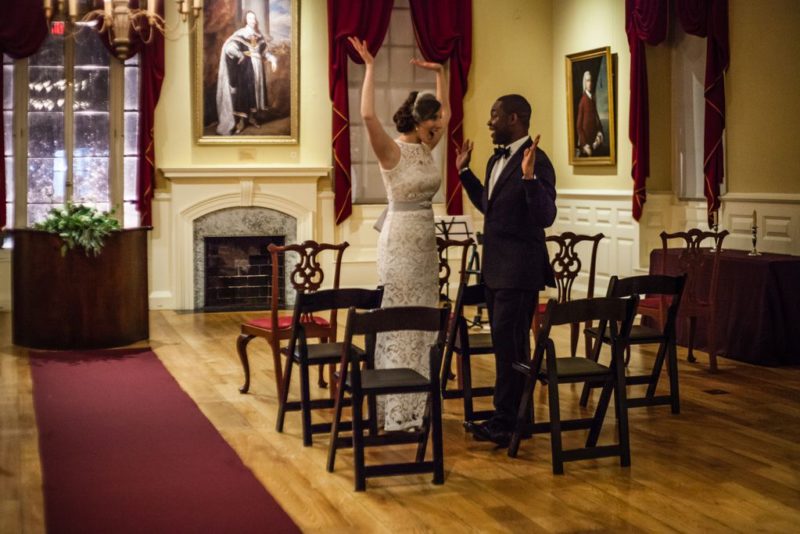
[306, 276]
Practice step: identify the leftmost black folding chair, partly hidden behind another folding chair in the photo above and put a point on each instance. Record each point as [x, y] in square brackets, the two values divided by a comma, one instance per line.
[299, 352]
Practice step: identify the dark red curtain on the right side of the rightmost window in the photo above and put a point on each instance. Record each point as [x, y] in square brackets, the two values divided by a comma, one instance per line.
[709, 18]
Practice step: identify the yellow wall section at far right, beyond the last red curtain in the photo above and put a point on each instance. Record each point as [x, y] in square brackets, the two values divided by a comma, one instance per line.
[761, 92]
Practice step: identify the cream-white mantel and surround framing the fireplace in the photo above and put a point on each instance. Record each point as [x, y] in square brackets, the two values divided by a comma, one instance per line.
[293, 194]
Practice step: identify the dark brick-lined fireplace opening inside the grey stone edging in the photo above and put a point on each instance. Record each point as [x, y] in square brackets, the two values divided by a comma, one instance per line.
[238, 273]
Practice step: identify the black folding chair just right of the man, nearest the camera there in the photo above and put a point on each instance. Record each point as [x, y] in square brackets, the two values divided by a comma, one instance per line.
[546, 367]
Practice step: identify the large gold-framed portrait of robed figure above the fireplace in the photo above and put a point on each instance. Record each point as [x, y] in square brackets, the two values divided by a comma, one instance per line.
[246, 72]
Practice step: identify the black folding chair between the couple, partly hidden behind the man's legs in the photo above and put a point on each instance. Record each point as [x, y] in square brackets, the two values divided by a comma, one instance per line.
[466, 343]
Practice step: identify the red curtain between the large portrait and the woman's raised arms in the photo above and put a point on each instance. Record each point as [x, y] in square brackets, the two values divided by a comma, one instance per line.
[368, 20]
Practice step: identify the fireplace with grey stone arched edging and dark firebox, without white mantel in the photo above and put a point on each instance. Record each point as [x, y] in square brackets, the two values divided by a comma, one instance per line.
[232, 267]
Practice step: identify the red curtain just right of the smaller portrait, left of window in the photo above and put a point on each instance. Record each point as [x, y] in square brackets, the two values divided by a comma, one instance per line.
[646, 21]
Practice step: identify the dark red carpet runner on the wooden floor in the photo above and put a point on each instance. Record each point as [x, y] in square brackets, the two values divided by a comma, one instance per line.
[124, 449]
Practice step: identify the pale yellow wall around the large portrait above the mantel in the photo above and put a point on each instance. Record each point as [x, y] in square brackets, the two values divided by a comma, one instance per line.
[175, 144]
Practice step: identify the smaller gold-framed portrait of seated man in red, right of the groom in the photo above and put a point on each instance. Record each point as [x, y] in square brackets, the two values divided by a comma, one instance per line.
[590, 108]
